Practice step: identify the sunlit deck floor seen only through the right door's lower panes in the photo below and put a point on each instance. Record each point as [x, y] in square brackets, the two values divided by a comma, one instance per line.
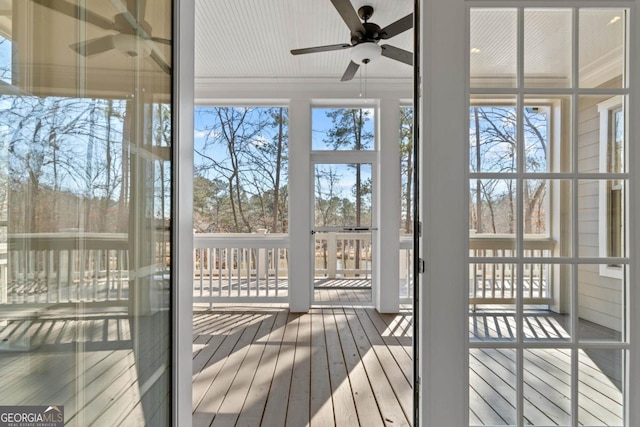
[547, 373]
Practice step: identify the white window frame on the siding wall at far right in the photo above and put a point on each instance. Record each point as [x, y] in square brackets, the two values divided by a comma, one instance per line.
[605, 109]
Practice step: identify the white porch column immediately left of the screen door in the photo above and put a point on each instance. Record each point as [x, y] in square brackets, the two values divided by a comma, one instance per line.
[300, 188]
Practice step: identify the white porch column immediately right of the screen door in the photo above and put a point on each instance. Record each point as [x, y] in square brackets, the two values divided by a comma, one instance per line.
[387, 265]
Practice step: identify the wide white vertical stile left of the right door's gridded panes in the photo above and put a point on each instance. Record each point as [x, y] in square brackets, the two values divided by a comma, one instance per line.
[443, 297]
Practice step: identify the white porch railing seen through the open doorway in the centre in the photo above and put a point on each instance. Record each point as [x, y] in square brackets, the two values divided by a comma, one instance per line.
[254, 267]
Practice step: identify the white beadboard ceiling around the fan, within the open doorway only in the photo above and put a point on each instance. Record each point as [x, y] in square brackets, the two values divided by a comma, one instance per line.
[252, 39]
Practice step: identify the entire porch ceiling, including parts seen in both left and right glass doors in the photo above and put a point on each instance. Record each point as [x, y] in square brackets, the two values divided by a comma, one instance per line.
[250, 40]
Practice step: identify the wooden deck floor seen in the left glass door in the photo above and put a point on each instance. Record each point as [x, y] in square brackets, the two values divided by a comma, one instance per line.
[42, 352]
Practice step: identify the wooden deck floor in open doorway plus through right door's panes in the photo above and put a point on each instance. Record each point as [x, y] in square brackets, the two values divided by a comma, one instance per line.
[263, 366]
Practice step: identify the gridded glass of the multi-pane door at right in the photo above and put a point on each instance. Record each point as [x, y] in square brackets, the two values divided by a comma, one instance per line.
[549, 259]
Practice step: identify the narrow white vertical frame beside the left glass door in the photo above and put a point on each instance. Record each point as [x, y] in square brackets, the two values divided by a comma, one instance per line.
[182, 264]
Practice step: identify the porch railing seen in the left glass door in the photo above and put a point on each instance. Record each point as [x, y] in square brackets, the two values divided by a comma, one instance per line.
[63, 268]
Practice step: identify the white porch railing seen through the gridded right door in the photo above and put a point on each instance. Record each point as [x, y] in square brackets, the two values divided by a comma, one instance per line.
[493, 280]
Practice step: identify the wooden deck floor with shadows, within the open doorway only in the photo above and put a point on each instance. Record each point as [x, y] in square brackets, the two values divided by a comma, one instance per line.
[263, 366]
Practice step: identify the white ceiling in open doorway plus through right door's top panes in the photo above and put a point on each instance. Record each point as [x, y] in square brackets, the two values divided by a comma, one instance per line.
[252, 39]
